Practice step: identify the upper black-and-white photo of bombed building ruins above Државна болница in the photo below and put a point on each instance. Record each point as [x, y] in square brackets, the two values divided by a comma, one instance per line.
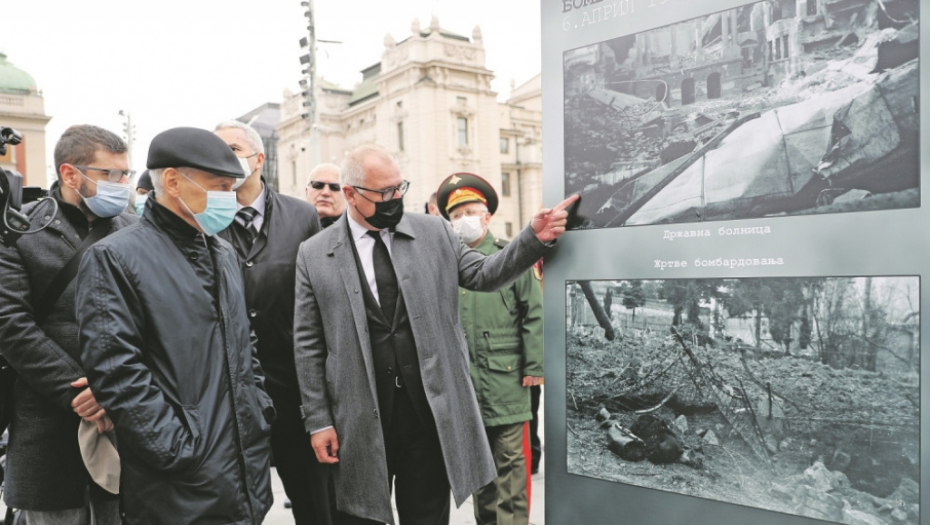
[781, 107]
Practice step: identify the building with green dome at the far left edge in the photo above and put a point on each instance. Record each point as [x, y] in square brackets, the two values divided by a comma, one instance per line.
[23, 108]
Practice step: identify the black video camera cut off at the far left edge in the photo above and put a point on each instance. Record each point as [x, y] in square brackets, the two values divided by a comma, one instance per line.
[13, 223]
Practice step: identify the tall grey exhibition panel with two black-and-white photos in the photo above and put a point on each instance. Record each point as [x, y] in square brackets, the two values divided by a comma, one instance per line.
[733, 323]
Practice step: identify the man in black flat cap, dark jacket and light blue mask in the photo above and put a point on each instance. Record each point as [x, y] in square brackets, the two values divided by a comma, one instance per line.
[165, 340]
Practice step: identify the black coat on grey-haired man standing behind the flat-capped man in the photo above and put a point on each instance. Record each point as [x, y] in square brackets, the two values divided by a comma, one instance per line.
[268, 271]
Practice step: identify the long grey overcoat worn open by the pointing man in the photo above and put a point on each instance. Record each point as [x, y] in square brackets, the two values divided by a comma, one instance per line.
[334, 359]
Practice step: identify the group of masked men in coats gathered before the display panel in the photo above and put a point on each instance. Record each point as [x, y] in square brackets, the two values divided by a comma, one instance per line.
[170, 338]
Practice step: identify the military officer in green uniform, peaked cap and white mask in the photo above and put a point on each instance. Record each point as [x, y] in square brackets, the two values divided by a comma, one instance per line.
[504, 332]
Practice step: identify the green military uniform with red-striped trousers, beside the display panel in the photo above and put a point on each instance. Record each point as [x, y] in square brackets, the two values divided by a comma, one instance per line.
[504, 332]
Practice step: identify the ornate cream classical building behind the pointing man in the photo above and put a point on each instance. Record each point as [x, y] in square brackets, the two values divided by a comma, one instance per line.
[429, 101]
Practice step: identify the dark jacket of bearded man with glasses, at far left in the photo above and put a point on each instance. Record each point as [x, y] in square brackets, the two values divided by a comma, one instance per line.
[44, 469]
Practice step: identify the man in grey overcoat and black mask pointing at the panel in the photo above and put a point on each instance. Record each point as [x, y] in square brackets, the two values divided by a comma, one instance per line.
[380, 353]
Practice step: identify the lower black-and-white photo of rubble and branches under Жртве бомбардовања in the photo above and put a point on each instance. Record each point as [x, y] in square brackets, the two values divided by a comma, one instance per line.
[793, 395]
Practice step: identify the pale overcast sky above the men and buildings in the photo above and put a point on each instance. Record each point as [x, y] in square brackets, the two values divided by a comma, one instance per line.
[196, 62]
